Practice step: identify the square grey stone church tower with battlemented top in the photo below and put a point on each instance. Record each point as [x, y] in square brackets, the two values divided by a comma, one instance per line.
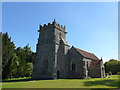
[51, 52]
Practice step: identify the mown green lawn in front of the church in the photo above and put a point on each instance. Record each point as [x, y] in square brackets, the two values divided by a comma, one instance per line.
[63, 83]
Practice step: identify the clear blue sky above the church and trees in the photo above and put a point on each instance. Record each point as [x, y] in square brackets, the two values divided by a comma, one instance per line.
[91, 26]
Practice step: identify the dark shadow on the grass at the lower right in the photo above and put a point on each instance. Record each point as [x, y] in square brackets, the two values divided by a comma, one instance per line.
[111, 83]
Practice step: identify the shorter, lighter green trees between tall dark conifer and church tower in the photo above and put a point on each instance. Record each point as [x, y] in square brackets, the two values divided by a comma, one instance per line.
[25, 57]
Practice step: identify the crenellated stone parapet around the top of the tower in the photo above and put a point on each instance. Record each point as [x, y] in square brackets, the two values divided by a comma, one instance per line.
[53, 24]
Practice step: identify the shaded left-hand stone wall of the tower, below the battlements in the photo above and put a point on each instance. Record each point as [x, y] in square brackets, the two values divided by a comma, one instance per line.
[45, 48]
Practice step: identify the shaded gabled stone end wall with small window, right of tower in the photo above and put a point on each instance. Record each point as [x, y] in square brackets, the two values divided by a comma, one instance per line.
[75, 60]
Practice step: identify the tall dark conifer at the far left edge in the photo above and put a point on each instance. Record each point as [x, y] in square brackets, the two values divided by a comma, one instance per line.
[7, 55]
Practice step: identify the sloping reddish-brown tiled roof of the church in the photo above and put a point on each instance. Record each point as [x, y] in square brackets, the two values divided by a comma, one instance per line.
[87, 54]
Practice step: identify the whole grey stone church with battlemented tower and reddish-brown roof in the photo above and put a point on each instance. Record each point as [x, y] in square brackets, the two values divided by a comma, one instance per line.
[55, 59]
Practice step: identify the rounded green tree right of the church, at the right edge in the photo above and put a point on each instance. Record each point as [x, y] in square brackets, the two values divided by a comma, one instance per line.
[113, 66]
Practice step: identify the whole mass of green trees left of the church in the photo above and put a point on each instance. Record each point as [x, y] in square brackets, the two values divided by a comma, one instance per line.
[16, 62]
